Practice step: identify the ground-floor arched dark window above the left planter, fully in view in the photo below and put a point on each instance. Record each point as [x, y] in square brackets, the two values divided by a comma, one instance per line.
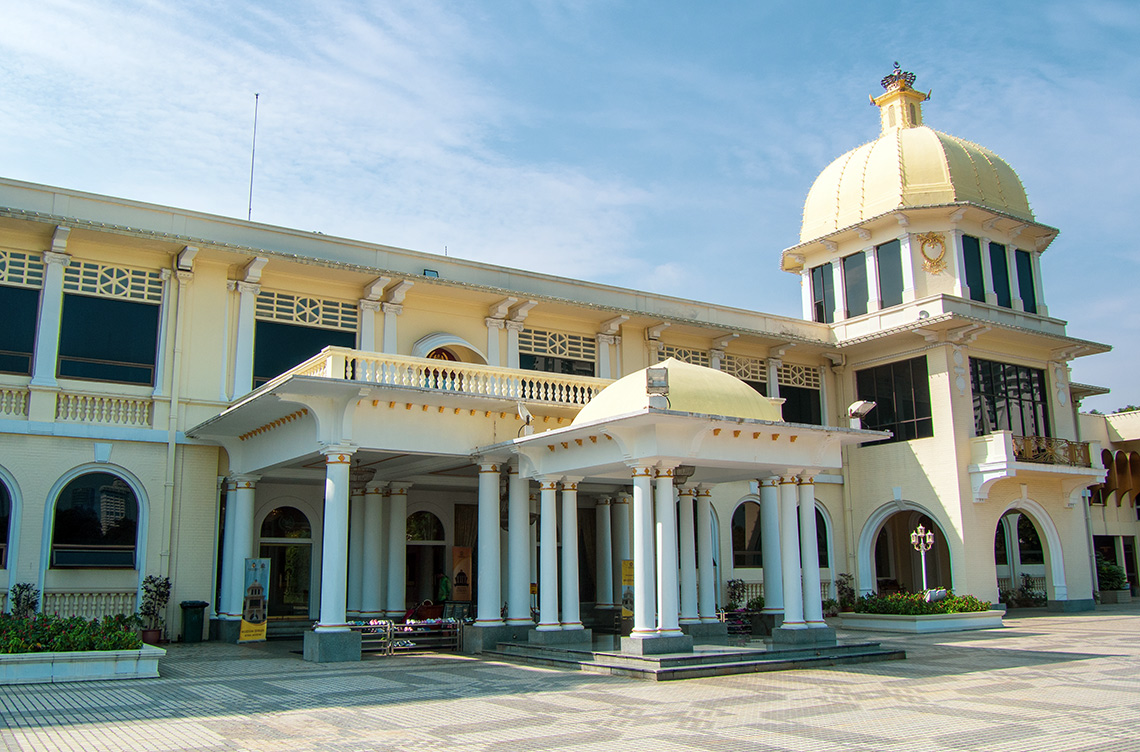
[96, 524]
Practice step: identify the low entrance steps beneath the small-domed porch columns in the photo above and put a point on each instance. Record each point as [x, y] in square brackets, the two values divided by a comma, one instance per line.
[705, 661]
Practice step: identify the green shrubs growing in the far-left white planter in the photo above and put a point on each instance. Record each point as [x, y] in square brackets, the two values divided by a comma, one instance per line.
[46, 634]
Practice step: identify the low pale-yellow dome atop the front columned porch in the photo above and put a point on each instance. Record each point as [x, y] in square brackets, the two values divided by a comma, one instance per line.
[693, 389]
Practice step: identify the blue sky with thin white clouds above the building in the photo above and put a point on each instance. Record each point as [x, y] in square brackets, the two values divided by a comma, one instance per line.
[658, 145]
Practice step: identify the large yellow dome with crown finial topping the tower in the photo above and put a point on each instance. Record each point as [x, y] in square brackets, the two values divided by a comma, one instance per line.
[909, 166]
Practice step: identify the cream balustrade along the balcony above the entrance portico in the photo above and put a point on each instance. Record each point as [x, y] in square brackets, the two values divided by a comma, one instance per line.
[454, 378]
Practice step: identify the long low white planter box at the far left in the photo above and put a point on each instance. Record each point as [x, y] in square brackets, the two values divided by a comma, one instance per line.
[80, 666]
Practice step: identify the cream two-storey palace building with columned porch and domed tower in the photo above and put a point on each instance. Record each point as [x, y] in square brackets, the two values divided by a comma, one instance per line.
[369, 418]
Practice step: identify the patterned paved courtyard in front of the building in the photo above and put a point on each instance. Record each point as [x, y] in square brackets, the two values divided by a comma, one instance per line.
[1048, 682]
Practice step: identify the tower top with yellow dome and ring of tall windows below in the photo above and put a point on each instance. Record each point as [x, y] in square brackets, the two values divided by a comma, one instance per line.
[914, 216]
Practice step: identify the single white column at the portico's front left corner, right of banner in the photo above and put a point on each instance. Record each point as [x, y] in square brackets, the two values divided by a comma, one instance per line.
[335, 555]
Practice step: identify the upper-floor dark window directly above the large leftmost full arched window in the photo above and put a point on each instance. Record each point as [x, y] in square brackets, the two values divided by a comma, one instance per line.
[108, 340]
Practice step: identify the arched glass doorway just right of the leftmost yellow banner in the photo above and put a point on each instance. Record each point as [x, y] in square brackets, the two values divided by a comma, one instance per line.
[287, 542]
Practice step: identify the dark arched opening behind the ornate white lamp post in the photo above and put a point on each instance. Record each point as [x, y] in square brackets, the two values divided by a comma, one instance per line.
[897, 567]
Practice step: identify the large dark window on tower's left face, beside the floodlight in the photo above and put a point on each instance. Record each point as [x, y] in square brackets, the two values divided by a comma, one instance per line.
[902, 394]
